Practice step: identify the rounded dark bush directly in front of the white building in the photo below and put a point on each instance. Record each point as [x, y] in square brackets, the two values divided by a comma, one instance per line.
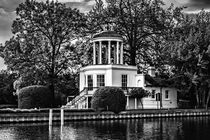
[109, 98]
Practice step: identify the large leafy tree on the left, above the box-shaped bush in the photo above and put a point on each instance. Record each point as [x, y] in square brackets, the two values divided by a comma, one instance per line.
[42, 43]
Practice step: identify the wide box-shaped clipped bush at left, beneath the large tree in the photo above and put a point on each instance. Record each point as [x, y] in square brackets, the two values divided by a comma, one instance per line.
[34, 97]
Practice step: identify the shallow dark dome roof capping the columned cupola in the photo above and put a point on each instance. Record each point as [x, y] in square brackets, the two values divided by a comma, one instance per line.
[107, 34]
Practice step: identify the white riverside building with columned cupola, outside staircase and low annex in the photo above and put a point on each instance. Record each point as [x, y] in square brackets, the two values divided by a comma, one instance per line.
[108, 69]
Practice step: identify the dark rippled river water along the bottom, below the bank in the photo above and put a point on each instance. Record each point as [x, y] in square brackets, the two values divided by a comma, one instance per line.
[186, 128]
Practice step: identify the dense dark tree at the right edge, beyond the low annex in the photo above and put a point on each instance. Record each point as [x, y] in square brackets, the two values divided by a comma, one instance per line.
[190, 56]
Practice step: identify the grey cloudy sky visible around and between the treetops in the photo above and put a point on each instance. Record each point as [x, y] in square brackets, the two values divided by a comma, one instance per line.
[7, 12]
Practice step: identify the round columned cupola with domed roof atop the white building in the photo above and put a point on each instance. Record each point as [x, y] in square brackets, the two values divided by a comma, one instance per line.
[107, 48]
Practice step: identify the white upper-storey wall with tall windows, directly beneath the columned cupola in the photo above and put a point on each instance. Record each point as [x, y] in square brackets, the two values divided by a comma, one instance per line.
[112, 75]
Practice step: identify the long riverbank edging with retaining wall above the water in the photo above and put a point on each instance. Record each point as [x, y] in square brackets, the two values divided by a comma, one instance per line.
[43, 115]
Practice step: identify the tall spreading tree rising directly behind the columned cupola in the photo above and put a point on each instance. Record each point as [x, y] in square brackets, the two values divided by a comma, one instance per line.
[143, 24]
